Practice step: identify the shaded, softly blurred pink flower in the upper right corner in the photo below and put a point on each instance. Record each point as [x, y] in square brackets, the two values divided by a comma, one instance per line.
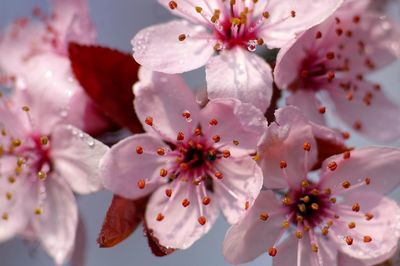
[326, 68]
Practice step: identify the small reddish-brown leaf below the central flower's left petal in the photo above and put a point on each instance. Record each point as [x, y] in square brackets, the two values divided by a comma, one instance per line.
[122, 219]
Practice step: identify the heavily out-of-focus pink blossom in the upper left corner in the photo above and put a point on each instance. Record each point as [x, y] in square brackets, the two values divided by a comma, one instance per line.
[31, 48]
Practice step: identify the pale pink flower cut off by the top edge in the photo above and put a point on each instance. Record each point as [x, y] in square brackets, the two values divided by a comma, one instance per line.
[233, 29]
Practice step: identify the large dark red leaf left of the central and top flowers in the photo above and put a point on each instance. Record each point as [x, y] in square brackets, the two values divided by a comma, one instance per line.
[107, 76]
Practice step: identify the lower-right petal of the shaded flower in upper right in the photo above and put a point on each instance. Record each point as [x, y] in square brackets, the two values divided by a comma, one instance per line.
[369, 117]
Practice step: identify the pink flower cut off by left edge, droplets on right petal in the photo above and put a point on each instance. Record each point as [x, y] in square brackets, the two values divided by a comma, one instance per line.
[41, 162]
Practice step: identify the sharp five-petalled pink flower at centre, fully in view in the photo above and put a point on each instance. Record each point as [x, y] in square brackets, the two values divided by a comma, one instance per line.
[195, 162]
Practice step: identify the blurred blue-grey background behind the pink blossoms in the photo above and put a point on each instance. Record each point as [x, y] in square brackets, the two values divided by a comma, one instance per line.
[117, 21]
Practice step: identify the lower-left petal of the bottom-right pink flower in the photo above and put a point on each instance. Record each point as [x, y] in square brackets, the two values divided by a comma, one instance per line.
[252, 236]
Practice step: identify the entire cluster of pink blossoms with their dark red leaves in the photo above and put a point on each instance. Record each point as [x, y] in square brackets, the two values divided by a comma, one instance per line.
[284, 178]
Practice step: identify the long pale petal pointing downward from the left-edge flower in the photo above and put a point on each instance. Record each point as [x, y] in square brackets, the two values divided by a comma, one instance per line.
[56, 226]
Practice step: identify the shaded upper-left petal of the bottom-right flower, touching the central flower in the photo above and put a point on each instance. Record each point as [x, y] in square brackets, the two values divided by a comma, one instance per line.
[284, 142]
